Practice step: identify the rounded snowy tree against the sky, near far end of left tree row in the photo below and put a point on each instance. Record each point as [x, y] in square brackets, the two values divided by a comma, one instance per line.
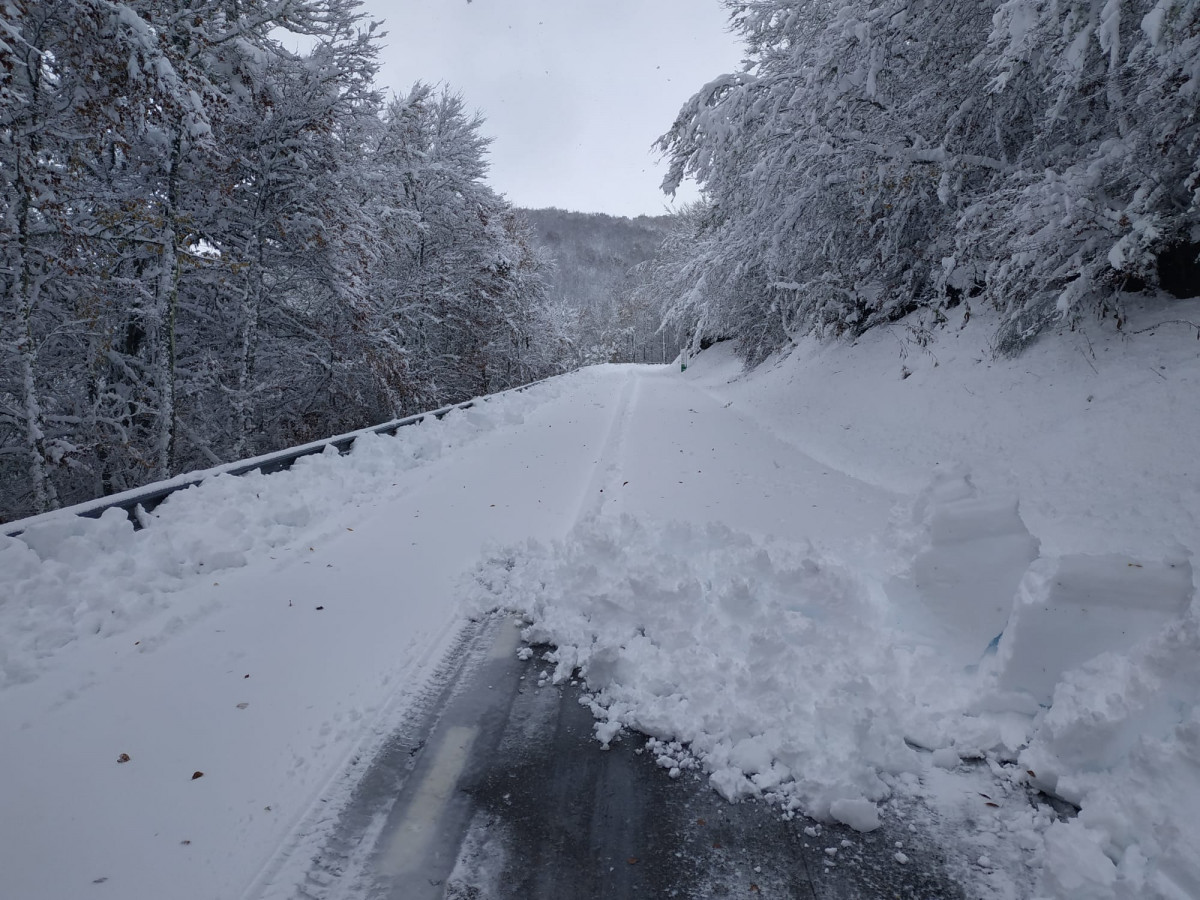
[457, 277]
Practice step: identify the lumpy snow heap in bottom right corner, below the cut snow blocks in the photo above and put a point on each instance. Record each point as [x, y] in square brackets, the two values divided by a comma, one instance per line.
[1123, 741]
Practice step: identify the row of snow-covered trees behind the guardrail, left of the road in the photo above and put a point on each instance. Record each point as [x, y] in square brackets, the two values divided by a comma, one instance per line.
[215, 245]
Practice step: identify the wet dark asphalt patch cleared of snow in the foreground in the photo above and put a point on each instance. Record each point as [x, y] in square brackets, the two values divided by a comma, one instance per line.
[497, 789]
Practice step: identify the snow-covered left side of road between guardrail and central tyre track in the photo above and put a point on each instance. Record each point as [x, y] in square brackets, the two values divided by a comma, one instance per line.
[319, 598]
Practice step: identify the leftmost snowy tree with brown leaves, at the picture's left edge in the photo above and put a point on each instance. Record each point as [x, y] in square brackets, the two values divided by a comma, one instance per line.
[73, 74]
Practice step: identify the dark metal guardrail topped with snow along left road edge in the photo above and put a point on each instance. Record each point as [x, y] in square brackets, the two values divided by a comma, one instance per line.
[141, 501]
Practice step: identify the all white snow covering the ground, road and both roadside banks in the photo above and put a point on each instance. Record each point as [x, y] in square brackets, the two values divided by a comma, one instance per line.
[868, 599]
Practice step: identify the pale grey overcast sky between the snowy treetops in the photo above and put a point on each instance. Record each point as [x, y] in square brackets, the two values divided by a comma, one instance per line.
[574, 92]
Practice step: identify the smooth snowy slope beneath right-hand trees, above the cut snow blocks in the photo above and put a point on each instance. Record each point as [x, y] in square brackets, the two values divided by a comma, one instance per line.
[1094, 430]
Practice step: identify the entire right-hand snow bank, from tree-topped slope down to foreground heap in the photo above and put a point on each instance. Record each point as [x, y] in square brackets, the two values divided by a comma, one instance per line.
[1095, 682]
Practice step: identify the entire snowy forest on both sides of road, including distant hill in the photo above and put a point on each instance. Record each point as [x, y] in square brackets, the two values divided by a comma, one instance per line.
[215, 247]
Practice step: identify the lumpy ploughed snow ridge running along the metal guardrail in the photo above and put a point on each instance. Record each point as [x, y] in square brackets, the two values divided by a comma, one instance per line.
[69, 578]
